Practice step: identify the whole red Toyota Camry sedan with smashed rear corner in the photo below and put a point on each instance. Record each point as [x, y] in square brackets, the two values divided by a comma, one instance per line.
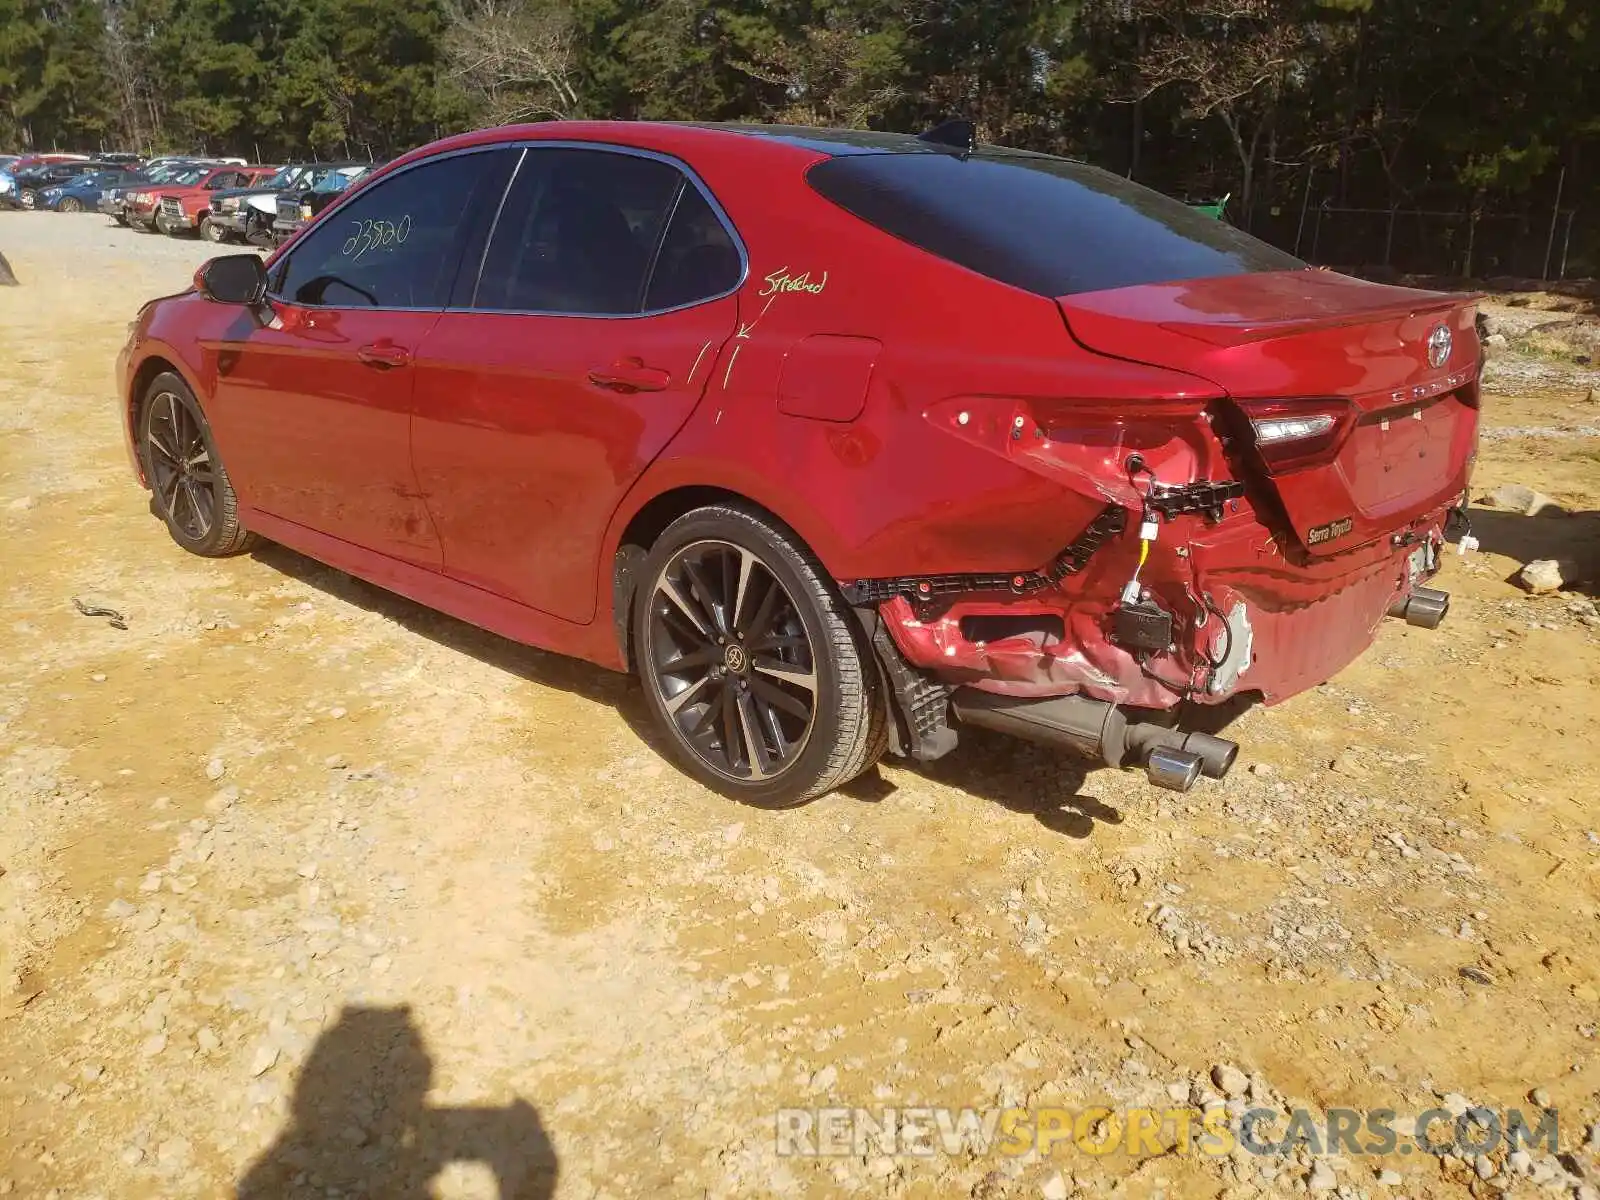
[841, 441]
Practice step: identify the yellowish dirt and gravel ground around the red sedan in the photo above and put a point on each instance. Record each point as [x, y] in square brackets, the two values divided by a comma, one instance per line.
[308, 890]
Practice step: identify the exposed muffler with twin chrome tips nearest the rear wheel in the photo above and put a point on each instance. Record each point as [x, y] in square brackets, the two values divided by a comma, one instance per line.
[1100, 730]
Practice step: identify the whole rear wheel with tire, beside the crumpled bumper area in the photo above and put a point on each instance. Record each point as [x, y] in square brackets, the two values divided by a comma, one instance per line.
[735, 726]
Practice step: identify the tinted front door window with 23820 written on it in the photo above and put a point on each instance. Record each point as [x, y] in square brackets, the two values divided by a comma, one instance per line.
[398, 246]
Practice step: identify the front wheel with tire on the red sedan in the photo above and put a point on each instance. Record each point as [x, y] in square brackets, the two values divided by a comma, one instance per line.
[196, 502]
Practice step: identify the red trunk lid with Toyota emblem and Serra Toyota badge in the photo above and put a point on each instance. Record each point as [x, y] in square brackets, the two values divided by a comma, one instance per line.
[1356, 402]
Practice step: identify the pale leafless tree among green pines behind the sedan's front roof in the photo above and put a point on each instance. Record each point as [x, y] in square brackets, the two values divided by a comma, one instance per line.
[518, 57]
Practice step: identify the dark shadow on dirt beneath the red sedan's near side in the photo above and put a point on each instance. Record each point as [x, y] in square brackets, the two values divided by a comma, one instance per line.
[1020, 777]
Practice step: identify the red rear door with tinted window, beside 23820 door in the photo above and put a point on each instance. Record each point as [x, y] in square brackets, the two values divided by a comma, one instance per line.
[585, 345]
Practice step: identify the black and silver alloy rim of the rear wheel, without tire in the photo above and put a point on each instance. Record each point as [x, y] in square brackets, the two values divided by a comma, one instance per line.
[730, 660]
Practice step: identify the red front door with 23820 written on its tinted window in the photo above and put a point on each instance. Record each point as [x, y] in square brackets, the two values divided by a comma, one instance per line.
[314, 409]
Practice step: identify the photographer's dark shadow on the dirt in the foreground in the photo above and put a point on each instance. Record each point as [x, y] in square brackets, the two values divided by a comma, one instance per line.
[362, 1127]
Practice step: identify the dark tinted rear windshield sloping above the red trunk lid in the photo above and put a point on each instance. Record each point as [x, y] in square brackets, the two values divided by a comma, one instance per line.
[1050, 226]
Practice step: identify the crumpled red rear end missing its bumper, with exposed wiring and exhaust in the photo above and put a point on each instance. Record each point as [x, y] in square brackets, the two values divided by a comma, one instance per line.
[1066, 666]
